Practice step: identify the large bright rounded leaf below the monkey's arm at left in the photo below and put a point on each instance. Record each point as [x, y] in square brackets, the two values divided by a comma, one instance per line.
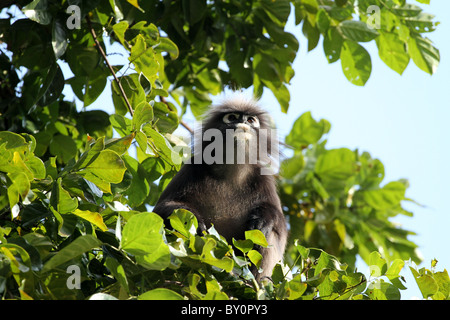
[142, 237]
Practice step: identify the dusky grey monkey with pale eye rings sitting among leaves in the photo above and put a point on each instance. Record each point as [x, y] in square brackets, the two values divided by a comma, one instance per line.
[231, 195]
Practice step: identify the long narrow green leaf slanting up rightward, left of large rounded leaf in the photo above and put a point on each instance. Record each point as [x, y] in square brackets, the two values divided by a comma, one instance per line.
[73, 250]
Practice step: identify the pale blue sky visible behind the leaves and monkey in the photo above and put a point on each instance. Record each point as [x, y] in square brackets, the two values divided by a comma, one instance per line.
[401, 120]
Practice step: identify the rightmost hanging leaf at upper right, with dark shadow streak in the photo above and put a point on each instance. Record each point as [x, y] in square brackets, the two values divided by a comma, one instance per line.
[423, 53]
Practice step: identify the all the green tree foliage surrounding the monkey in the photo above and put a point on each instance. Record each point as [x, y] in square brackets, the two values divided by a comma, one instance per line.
[74, 203]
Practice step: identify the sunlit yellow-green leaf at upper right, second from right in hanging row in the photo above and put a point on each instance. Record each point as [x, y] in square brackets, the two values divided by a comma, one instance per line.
[393, 52]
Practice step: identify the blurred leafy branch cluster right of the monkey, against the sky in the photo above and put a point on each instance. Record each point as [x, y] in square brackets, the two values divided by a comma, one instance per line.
[337, 200]
